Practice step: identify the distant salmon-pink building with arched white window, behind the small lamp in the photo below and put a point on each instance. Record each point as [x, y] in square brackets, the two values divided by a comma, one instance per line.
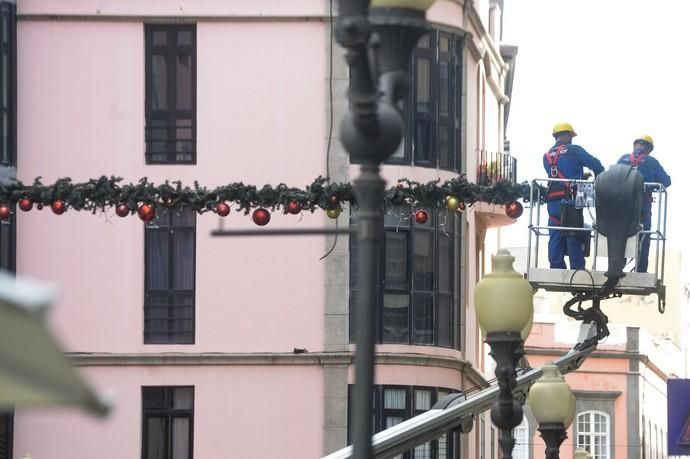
[620, 392]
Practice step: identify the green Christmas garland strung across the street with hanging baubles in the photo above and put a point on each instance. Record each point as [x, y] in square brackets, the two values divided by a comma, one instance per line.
[104, 192]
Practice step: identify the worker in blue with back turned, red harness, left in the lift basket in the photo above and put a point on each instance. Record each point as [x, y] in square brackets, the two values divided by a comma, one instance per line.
[565, 161]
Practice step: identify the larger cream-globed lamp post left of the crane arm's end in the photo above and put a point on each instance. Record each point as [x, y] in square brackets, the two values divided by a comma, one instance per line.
[503, 302]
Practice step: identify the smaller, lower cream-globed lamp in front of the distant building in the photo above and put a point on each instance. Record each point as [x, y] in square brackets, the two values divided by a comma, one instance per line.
[553, 406]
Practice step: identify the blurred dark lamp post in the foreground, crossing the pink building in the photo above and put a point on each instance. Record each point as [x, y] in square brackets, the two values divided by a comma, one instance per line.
[379, 41]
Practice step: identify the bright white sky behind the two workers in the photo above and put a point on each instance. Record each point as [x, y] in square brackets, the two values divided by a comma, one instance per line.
[614, 69]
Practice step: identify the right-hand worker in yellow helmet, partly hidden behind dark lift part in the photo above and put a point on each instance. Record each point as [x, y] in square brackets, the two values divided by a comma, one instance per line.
[653, 172]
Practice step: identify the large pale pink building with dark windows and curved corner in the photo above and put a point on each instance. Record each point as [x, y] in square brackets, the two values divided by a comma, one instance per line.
[240, 347]
